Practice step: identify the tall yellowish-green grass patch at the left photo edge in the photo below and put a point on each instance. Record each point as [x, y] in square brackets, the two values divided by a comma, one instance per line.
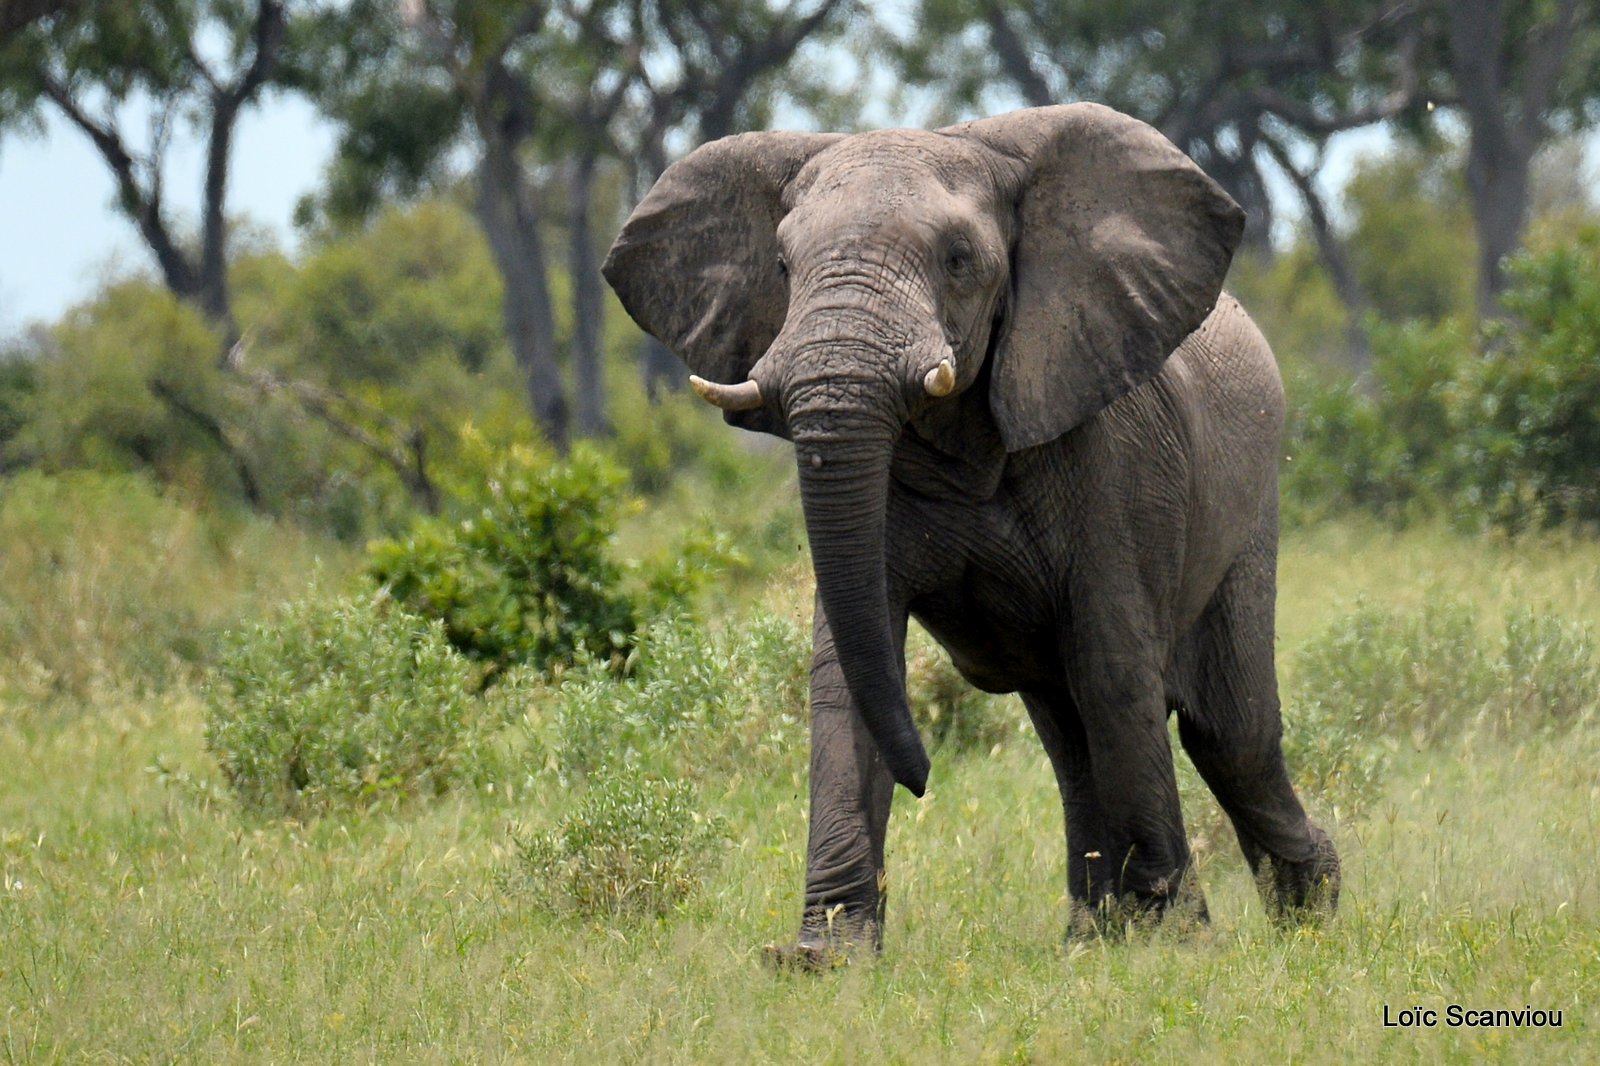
[106, 583]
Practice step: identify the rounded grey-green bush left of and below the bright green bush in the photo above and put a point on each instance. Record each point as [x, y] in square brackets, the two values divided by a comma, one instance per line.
[343, 702]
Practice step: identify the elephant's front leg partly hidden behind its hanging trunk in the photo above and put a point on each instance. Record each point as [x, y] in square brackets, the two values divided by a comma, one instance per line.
[852, 790]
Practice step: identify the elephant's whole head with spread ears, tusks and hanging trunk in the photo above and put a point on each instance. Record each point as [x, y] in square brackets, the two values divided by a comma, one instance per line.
[838, 289]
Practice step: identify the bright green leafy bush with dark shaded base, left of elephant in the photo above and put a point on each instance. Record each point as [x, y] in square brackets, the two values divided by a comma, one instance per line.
[529, 575]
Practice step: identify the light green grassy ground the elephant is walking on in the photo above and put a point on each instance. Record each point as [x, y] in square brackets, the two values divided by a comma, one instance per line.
[145, 920]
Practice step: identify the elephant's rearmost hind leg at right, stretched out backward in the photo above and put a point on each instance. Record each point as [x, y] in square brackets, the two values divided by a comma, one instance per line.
[1233, 731]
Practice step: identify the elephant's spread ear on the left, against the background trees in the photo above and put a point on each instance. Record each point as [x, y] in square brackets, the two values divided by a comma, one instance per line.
[697, 263]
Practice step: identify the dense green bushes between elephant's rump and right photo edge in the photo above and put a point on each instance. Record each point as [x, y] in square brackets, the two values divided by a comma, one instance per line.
[1508, 439]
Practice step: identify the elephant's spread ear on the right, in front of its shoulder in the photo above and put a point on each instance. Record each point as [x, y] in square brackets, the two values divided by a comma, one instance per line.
[1121, 250]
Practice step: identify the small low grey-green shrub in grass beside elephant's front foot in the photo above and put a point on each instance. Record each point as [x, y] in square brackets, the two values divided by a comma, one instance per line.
[634, 848]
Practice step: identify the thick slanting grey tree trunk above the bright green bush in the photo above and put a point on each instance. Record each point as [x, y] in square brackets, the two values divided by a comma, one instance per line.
[513, 230]
